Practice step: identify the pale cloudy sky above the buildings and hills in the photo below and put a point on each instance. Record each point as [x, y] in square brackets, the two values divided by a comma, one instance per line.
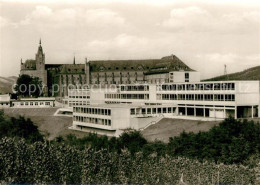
[204, 34]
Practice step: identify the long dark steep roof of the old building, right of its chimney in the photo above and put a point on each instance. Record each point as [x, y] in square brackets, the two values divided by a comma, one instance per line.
[166, 64]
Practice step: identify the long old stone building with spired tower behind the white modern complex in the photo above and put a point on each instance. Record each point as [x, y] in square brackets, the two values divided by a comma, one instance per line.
[57, 78]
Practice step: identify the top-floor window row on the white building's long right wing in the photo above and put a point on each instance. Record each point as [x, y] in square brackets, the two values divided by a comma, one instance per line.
[191, 87]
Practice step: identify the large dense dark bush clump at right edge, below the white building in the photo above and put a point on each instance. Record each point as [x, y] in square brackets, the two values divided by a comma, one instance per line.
[232, 141]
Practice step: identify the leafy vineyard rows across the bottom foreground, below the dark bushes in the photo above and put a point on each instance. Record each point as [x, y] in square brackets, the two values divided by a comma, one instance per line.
[47, 163]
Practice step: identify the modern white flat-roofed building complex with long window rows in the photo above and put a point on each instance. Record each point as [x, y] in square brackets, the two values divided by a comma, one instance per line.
[136, 106]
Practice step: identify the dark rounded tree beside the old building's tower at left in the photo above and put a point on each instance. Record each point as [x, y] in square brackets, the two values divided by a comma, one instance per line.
[29, 86]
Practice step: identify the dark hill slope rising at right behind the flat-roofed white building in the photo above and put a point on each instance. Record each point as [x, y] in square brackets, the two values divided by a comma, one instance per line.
[248, 74]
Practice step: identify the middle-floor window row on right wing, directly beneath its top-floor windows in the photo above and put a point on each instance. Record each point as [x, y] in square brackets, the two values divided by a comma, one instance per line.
[197, 97]
